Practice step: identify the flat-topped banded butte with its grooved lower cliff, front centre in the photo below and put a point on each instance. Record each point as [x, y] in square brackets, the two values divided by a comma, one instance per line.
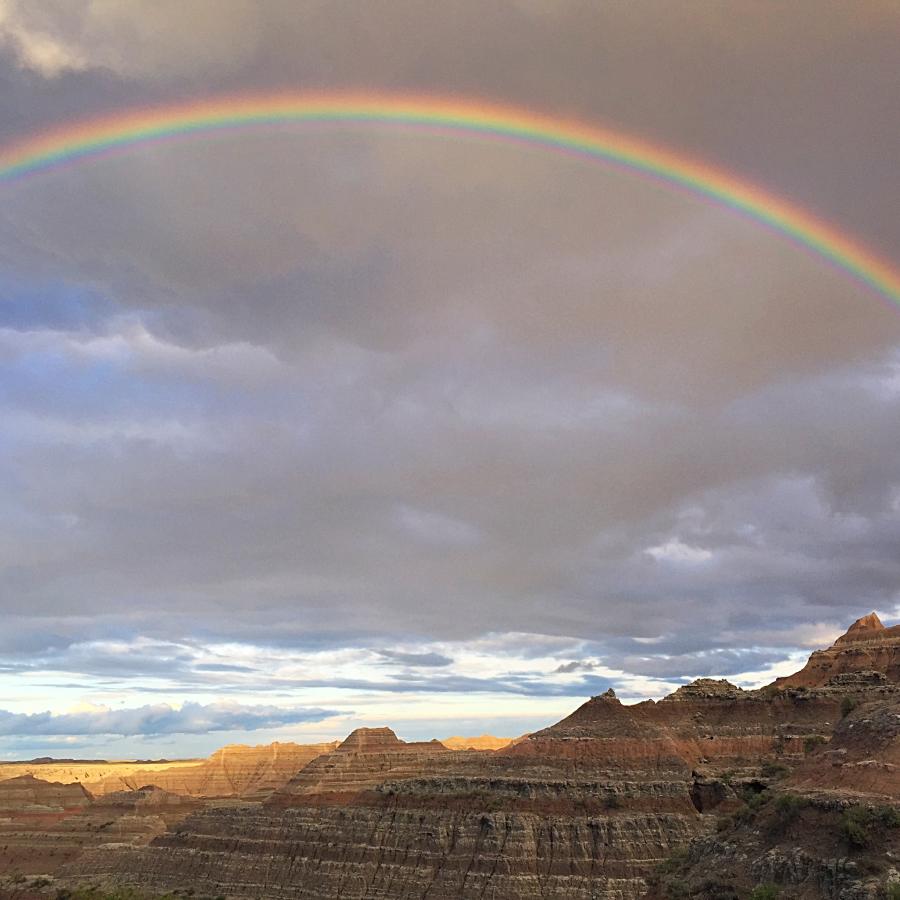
[382, 818]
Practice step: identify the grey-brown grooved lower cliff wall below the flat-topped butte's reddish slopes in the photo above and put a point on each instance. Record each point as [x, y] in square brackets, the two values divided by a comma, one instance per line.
[368, 852]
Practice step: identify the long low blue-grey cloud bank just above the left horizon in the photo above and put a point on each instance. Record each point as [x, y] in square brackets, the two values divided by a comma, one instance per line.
[190, 718]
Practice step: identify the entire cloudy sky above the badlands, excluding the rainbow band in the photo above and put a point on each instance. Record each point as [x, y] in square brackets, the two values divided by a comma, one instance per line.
[303, 429]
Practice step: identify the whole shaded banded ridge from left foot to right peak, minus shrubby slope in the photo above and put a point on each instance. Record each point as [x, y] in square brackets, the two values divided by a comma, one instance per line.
[586, 808]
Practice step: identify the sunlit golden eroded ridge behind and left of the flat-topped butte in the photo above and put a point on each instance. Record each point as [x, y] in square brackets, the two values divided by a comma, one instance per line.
[234, 771]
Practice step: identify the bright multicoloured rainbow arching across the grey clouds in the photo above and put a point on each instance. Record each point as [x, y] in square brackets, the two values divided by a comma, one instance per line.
[97, 137]
